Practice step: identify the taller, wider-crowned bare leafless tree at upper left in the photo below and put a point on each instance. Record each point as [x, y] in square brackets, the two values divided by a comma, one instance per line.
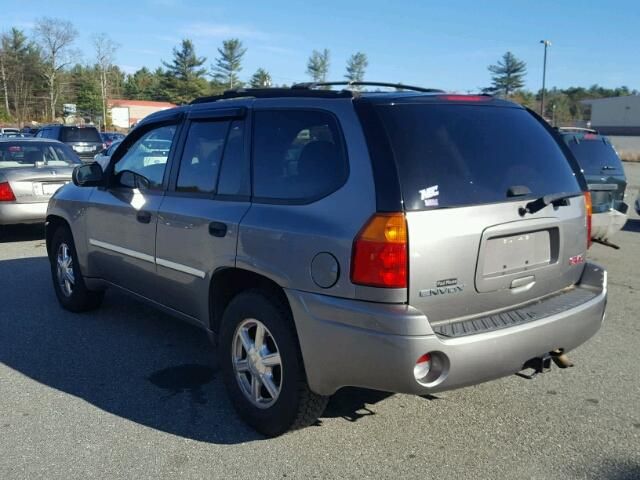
[55, 37]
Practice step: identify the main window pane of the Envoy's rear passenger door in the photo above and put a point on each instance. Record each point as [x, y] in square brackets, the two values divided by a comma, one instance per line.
[201, 158]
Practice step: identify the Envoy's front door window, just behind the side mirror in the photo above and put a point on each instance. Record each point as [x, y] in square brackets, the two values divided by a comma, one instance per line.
[146, 159]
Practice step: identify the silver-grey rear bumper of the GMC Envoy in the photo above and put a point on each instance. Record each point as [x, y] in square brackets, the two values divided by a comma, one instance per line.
[354, 343]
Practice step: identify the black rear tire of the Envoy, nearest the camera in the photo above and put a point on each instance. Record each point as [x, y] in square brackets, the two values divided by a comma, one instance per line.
[295, 406]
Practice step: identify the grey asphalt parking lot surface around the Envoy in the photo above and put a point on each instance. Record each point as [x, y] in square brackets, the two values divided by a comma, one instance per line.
[127, 392]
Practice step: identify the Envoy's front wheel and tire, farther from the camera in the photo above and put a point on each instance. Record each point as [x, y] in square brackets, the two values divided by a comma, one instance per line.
[77, 298]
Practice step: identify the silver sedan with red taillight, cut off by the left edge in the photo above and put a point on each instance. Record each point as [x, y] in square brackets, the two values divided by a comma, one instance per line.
[31, 170]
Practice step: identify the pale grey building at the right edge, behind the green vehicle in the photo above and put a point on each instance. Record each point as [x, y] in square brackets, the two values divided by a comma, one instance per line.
[616, 115]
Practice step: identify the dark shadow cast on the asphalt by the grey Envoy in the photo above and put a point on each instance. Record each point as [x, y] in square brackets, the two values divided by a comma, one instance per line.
[127, 359]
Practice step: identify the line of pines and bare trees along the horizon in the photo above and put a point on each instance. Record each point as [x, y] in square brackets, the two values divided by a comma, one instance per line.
[41, 72]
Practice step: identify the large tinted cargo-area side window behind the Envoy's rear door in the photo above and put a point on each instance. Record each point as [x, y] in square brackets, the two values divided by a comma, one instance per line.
[298, 155]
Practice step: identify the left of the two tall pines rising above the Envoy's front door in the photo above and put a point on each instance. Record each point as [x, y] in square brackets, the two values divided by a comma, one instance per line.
[184, 80]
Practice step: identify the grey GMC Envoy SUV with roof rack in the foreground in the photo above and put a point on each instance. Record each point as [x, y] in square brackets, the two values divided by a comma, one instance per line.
[407, 241]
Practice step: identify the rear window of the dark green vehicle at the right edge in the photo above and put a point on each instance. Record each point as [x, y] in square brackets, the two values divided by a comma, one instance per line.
[595, 156]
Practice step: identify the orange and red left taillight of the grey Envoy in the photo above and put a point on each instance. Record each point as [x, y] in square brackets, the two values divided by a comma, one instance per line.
[379, 257]
